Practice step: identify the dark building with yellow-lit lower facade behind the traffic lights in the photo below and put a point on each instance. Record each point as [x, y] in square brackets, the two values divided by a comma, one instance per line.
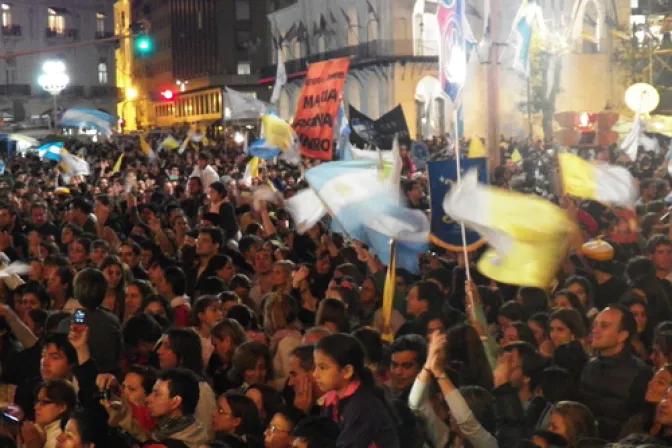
[201, 47]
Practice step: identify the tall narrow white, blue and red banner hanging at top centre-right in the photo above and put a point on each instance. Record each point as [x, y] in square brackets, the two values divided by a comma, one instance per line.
[453, 54]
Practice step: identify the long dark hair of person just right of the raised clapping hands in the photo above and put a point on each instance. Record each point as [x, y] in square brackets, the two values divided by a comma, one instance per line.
[465, 348]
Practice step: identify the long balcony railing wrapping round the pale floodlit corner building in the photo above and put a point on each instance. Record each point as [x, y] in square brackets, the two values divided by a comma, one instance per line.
[377, 49]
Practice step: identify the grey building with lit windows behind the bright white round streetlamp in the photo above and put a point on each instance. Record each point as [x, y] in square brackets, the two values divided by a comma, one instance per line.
[48, 25]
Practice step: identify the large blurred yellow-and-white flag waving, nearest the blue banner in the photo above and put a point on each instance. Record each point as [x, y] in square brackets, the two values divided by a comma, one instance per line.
[527, 235]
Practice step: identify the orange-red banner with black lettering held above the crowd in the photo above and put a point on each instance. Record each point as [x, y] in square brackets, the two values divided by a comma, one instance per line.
[318, 107]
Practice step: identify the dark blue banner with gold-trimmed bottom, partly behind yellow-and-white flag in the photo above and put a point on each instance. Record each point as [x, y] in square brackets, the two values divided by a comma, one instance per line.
[444, 231]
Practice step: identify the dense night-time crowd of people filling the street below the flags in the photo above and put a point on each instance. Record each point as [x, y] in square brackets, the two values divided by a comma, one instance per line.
[167, 306]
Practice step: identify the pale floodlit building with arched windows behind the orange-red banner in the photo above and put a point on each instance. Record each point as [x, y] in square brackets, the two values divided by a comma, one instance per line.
[393, 46]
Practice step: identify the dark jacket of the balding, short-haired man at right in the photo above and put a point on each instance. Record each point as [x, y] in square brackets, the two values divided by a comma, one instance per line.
[613, 388]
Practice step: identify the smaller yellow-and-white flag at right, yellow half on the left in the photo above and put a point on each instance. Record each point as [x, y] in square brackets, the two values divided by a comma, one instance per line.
[604, 183]
